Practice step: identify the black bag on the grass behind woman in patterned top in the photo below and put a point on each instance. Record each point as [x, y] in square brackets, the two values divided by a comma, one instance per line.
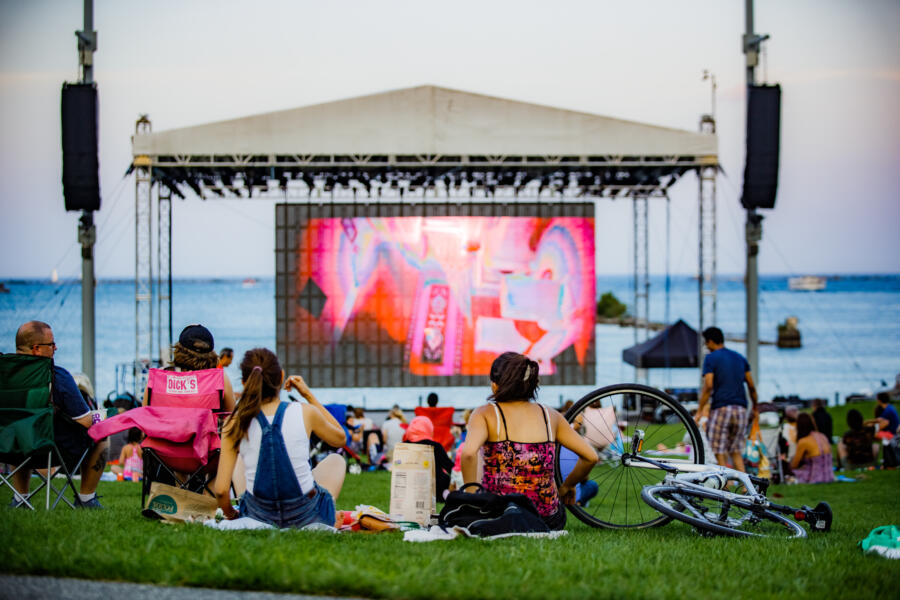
[486, 514]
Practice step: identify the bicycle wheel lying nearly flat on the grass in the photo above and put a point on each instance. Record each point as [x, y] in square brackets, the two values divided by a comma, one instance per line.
[709, 513]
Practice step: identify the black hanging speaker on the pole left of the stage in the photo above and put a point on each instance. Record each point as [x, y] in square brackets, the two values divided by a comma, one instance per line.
[81, 169]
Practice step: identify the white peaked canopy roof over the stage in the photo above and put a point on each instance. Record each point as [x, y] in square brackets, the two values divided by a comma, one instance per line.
[426, 121]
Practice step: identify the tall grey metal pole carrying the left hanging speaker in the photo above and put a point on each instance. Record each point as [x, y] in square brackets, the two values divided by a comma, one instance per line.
[87, 233]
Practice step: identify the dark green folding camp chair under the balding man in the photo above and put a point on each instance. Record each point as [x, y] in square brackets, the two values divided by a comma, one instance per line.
[26, 427]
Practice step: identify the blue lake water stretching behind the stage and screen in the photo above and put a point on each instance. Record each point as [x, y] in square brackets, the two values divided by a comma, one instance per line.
[851, 332]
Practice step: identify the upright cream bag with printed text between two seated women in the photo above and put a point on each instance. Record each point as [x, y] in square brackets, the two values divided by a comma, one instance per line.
[412, 483]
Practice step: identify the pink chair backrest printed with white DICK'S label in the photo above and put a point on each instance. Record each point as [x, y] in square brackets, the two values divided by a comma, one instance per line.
[188, 389]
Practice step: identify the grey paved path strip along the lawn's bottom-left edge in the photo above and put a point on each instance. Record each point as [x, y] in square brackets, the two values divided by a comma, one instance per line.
[27, 587]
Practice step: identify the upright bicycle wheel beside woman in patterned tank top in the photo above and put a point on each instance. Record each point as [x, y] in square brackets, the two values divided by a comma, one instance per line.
[607, 419]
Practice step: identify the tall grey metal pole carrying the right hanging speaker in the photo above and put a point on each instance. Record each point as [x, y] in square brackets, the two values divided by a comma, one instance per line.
[753, 231]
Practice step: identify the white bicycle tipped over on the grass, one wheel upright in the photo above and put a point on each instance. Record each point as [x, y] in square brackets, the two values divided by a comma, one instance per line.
[661, 464]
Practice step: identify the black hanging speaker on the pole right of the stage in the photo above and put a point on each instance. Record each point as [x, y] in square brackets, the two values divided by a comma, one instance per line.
[763, 140]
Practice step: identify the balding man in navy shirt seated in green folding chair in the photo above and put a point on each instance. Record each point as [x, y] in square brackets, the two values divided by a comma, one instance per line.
[36, 338]
